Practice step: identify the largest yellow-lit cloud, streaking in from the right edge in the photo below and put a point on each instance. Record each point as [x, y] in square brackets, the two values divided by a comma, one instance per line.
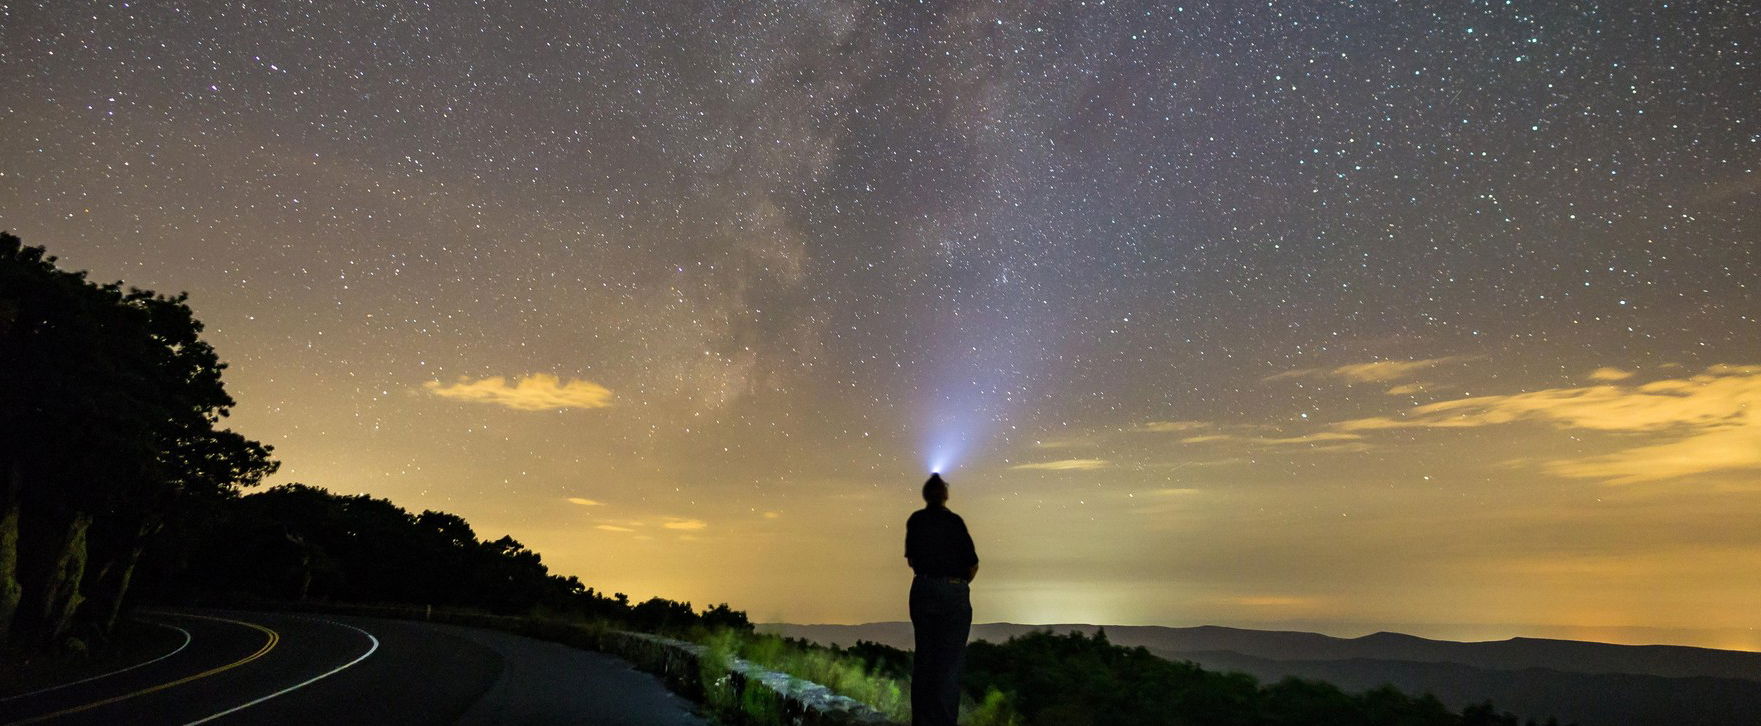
[1711, 422]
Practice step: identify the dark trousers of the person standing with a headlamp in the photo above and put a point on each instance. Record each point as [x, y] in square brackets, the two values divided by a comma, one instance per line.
[941, 616]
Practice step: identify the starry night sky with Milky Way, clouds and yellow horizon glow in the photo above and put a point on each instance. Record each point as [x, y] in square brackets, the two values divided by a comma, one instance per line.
[1327, 315]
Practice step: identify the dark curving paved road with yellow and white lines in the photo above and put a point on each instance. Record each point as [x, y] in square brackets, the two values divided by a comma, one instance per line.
[276, 669]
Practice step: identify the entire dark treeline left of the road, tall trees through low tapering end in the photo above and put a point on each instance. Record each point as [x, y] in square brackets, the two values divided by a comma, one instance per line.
[117, 477]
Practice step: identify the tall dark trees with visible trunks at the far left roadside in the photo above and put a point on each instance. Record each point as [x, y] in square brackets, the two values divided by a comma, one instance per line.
[110, 424]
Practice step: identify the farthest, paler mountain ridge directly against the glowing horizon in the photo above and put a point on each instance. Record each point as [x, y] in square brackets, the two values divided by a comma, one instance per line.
[1572, 656]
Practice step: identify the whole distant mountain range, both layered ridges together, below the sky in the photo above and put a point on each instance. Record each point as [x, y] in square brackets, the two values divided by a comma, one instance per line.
[1593, 685]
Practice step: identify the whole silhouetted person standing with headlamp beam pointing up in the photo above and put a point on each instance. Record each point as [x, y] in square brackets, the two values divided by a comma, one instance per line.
[941, 554]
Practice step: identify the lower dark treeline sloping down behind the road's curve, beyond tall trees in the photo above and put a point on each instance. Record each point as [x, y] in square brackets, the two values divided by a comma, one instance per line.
[302, 544]
